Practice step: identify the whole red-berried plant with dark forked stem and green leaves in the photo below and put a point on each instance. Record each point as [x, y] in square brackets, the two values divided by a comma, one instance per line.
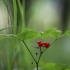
[42, 46]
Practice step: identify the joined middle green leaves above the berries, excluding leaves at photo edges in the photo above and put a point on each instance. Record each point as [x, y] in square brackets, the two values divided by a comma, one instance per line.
[31, 34]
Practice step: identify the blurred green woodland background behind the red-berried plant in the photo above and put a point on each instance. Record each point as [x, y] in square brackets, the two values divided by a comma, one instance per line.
[15, 15]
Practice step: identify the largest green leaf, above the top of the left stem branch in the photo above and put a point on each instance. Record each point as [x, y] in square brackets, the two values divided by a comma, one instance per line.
[28, 34]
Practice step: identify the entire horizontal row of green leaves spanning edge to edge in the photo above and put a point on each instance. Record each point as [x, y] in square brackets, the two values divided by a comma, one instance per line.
[28, 33]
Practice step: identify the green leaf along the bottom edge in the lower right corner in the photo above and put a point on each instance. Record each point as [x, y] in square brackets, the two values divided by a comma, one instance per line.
[54, 66]
